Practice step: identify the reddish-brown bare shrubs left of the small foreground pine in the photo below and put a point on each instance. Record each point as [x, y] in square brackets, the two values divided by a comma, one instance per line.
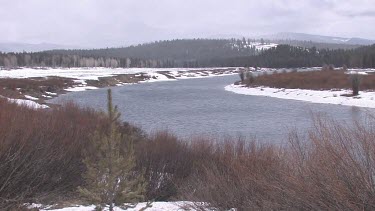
[40, 150]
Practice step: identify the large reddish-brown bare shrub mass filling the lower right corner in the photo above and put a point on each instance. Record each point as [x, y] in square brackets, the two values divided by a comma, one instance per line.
[330, 169]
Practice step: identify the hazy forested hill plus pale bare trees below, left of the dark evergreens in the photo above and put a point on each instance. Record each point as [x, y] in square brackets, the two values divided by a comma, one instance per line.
[175, 53]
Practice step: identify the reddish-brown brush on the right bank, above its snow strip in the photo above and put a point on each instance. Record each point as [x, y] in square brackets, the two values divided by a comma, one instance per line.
[315, 80]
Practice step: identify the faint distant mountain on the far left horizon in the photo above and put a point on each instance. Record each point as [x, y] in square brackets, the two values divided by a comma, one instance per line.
[20, 47]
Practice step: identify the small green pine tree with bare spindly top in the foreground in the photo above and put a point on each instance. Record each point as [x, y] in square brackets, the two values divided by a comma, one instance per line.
[110, 175]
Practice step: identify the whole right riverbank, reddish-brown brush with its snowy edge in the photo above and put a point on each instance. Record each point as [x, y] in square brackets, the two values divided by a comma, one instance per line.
[329, 87]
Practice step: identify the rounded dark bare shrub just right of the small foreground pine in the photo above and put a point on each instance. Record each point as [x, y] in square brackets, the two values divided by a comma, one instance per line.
[166, 161]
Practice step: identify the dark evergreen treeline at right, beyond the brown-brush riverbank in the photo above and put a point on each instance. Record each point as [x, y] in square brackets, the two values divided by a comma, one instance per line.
[290, 56]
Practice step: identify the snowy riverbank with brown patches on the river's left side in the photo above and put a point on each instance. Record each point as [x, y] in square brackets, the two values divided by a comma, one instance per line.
[33, 86]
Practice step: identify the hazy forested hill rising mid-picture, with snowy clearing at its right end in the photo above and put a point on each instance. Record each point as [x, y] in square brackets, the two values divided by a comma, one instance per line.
[177, 50]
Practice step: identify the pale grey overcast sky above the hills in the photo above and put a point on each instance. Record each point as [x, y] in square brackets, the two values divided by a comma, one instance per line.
[101, 23]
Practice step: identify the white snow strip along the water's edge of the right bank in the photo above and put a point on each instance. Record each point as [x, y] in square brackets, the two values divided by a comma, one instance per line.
[364, 99]
